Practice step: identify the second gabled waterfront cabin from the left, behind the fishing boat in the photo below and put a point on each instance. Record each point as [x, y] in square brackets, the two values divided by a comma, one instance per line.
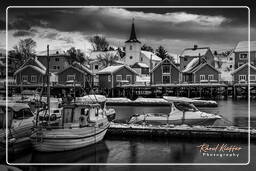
[75, 74]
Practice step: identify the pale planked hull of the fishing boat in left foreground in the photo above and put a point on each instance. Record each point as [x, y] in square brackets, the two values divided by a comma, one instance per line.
[67, 139]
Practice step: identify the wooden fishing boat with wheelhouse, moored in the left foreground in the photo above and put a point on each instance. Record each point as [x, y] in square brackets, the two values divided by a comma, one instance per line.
[82, 123]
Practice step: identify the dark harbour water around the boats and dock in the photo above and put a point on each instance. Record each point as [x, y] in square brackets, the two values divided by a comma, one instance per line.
[158, 150]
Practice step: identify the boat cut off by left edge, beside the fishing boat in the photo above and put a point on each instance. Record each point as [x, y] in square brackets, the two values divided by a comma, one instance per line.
[19, 125]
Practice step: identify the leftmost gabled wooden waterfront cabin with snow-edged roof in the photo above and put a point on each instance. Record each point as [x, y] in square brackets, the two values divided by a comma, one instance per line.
[32, 72]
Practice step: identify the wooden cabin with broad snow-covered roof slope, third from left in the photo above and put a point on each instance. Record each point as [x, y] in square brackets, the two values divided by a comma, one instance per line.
[114, 76]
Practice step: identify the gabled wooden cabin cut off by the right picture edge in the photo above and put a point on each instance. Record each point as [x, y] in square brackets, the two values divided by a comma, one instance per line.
[241, 74]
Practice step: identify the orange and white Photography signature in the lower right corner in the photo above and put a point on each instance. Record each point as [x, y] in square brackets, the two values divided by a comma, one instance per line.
[219, 150]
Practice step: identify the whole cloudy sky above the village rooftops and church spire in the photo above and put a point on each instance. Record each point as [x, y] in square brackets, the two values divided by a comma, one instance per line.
[173, 28]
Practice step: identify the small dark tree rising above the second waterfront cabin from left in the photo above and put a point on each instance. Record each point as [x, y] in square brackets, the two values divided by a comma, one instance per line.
[75, 55]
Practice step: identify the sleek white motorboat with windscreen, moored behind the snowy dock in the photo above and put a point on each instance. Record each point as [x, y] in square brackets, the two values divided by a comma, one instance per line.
[182, 111]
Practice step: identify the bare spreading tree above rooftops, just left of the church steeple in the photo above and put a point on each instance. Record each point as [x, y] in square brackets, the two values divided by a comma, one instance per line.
[99, 43]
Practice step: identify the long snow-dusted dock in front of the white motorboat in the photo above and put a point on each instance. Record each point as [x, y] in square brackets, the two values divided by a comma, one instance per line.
[180, 131]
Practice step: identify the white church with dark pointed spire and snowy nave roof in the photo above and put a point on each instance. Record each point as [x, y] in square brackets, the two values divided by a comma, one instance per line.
[134, 54]
